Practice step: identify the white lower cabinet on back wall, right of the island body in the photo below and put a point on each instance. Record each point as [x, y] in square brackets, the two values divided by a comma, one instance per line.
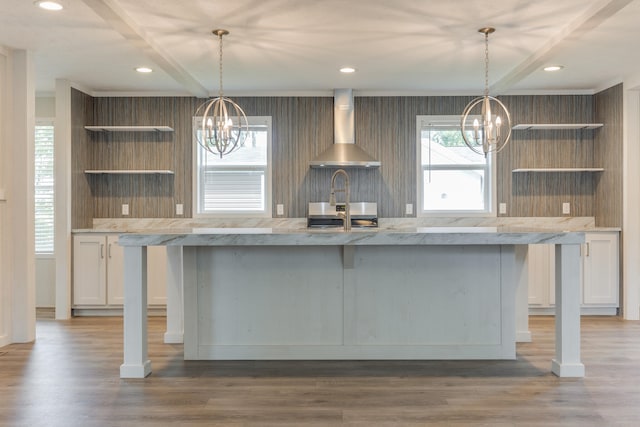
[600, 275]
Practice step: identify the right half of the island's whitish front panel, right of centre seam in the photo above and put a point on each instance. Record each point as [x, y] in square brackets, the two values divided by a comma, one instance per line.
[435, 301]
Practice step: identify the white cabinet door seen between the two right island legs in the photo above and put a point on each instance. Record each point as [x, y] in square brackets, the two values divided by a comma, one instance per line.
[541, 271]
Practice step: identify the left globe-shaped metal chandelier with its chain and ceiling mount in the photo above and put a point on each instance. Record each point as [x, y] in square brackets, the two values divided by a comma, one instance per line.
[224, 124]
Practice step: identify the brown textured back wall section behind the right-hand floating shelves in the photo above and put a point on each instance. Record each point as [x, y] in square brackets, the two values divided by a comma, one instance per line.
[542, 194]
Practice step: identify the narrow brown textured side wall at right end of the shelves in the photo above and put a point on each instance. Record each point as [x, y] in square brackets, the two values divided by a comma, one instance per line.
[608, 149]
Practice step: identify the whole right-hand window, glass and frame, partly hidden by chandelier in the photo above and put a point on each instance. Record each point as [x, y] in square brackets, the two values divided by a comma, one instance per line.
[452, 179]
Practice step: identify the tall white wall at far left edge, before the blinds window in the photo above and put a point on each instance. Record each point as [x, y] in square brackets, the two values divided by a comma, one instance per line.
[17, 258]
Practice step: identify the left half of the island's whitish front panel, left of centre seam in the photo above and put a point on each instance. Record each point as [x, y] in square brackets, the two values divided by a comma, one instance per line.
[264, 302]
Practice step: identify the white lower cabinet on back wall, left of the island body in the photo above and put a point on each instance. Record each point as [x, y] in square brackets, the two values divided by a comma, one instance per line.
[98, 273]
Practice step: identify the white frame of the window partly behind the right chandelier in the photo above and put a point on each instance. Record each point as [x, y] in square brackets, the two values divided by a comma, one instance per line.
[490, 173]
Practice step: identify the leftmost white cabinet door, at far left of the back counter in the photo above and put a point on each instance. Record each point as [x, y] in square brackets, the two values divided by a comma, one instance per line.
[89, 264]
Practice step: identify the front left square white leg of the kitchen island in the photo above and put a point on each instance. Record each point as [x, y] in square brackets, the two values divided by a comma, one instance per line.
[136, 363]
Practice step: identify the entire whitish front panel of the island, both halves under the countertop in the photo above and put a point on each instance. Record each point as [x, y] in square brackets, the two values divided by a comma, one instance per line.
[395, 302]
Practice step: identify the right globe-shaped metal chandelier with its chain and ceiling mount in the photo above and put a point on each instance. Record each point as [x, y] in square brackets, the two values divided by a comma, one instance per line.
[493, 131]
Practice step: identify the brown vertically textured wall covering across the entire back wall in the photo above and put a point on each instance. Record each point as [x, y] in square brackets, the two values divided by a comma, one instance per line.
[303, 128]
